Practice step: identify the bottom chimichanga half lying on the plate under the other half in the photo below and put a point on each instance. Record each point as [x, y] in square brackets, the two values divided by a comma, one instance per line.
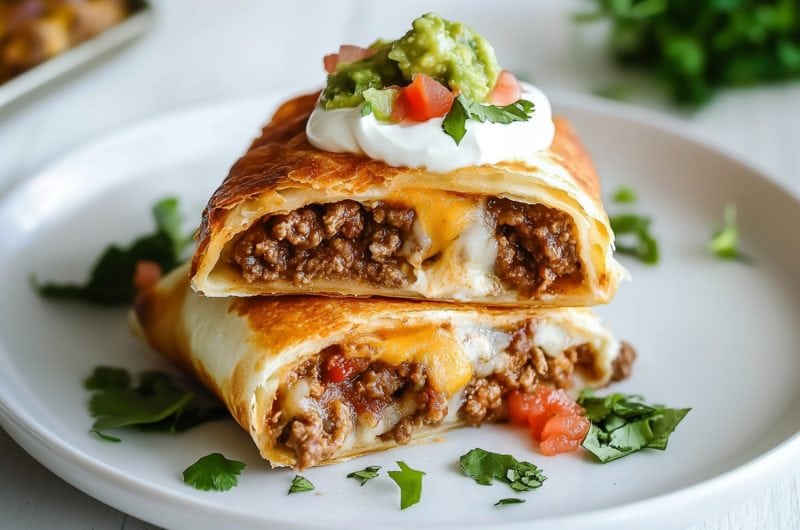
[316, 380]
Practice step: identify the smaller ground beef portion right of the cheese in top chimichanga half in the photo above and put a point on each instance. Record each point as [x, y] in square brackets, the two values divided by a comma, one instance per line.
[537, 247]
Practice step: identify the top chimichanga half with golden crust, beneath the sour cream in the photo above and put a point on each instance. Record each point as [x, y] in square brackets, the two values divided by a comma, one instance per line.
[291, 218]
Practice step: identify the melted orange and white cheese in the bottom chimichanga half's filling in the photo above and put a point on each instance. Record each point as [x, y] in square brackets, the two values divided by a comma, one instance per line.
[453, 354]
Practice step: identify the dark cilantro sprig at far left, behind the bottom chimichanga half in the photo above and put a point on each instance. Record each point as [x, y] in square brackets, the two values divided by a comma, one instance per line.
[111, 278]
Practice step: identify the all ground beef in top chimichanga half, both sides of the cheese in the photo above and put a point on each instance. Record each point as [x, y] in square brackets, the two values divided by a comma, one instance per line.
[537, 248]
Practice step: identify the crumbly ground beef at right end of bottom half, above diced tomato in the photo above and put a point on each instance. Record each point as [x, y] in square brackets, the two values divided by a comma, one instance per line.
[485, 397]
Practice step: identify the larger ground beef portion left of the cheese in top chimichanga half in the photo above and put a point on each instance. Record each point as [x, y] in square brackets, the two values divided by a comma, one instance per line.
[341, 240]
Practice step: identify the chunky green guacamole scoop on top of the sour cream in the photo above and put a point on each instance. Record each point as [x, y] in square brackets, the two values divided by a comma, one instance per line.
[449, 52]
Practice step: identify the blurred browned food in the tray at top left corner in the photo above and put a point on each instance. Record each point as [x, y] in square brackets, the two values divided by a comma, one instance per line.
[32, 31]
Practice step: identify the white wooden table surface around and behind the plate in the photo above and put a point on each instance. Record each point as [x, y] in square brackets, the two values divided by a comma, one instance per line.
[211, 50]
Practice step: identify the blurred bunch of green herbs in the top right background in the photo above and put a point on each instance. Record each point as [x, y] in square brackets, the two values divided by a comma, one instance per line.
[697, 46]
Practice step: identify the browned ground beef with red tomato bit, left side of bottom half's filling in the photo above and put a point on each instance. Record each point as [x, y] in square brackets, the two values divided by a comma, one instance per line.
[349, 392]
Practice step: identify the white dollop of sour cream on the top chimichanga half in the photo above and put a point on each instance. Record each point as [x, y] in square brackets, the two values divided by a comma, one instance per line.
[426, 145]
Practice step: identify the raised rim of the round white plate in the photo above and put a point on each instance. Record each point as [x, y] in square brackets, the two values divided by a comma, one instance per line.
[53, 452]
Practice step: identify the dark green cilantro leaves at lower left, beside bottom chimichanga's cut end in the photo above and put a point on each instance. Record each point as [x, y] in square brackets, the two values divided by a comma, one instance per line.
[156, 404]
